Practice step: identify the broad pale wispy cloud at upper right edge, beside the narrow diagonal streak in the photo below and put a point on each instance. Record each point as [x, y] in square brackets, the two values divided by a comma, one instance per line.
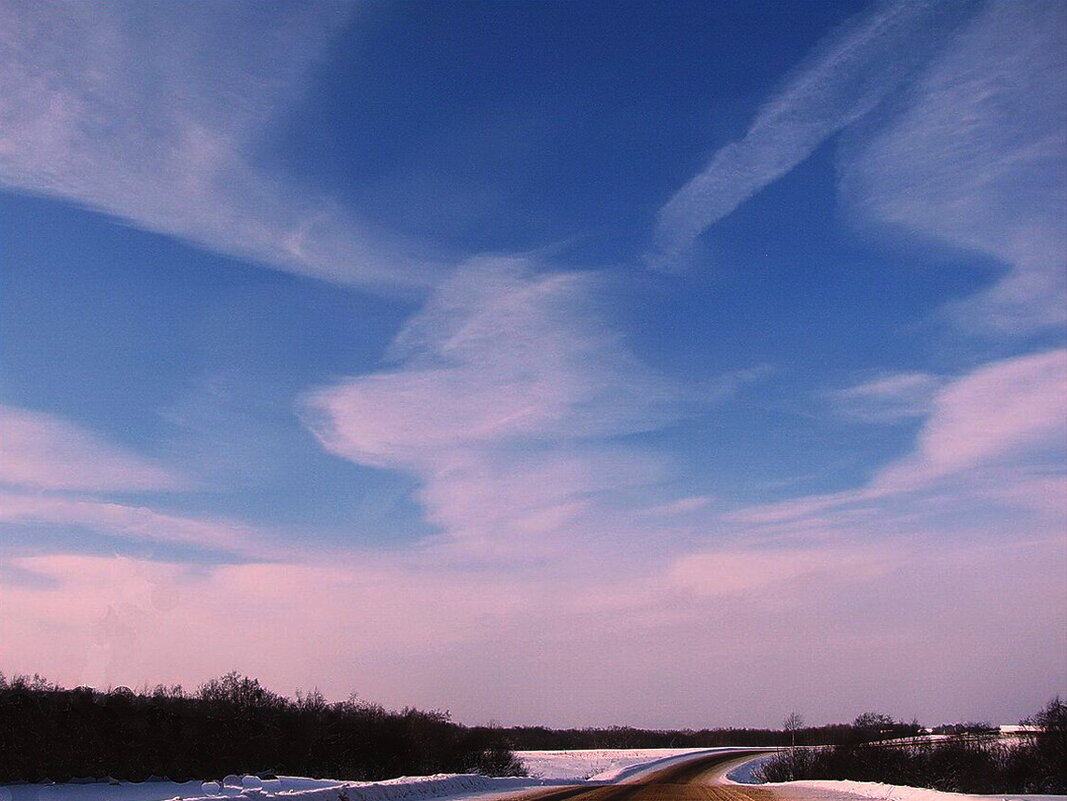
[977, 156]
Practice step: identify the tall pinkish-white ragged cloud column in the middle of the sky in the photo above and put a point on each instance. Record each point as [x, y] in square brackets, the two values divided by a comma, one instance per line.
[508, 391]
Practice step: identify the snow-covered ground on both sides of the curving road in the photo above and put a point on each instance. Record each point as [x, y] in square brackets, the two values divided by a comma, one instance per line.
[546, 768]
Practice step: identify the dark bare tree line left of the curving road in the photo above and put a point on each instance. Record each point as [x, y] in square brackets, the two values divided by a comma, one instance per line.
[230, 725]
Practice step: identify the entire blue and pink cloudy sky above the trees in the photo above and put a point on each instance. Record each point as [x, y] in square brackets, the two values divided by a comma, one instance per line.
[668, 365]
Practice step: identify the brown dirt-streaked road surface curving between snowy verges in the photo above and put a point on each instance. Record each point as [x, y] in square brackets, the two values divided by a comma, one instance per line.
[700, 779]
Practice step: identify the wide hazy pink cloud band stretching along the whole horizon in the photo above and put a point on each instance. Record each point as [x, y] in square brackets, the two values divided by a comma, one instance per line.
[597, 642]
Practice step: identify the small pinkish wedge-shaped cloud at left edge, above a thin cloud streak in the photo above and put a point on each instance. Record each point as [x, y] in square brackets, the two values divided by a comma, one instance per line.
[47, 453]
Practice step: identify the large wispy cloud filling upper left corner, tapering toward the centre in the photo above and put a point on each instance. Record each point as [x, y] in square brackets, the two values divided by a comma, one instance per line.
[153, 114]
